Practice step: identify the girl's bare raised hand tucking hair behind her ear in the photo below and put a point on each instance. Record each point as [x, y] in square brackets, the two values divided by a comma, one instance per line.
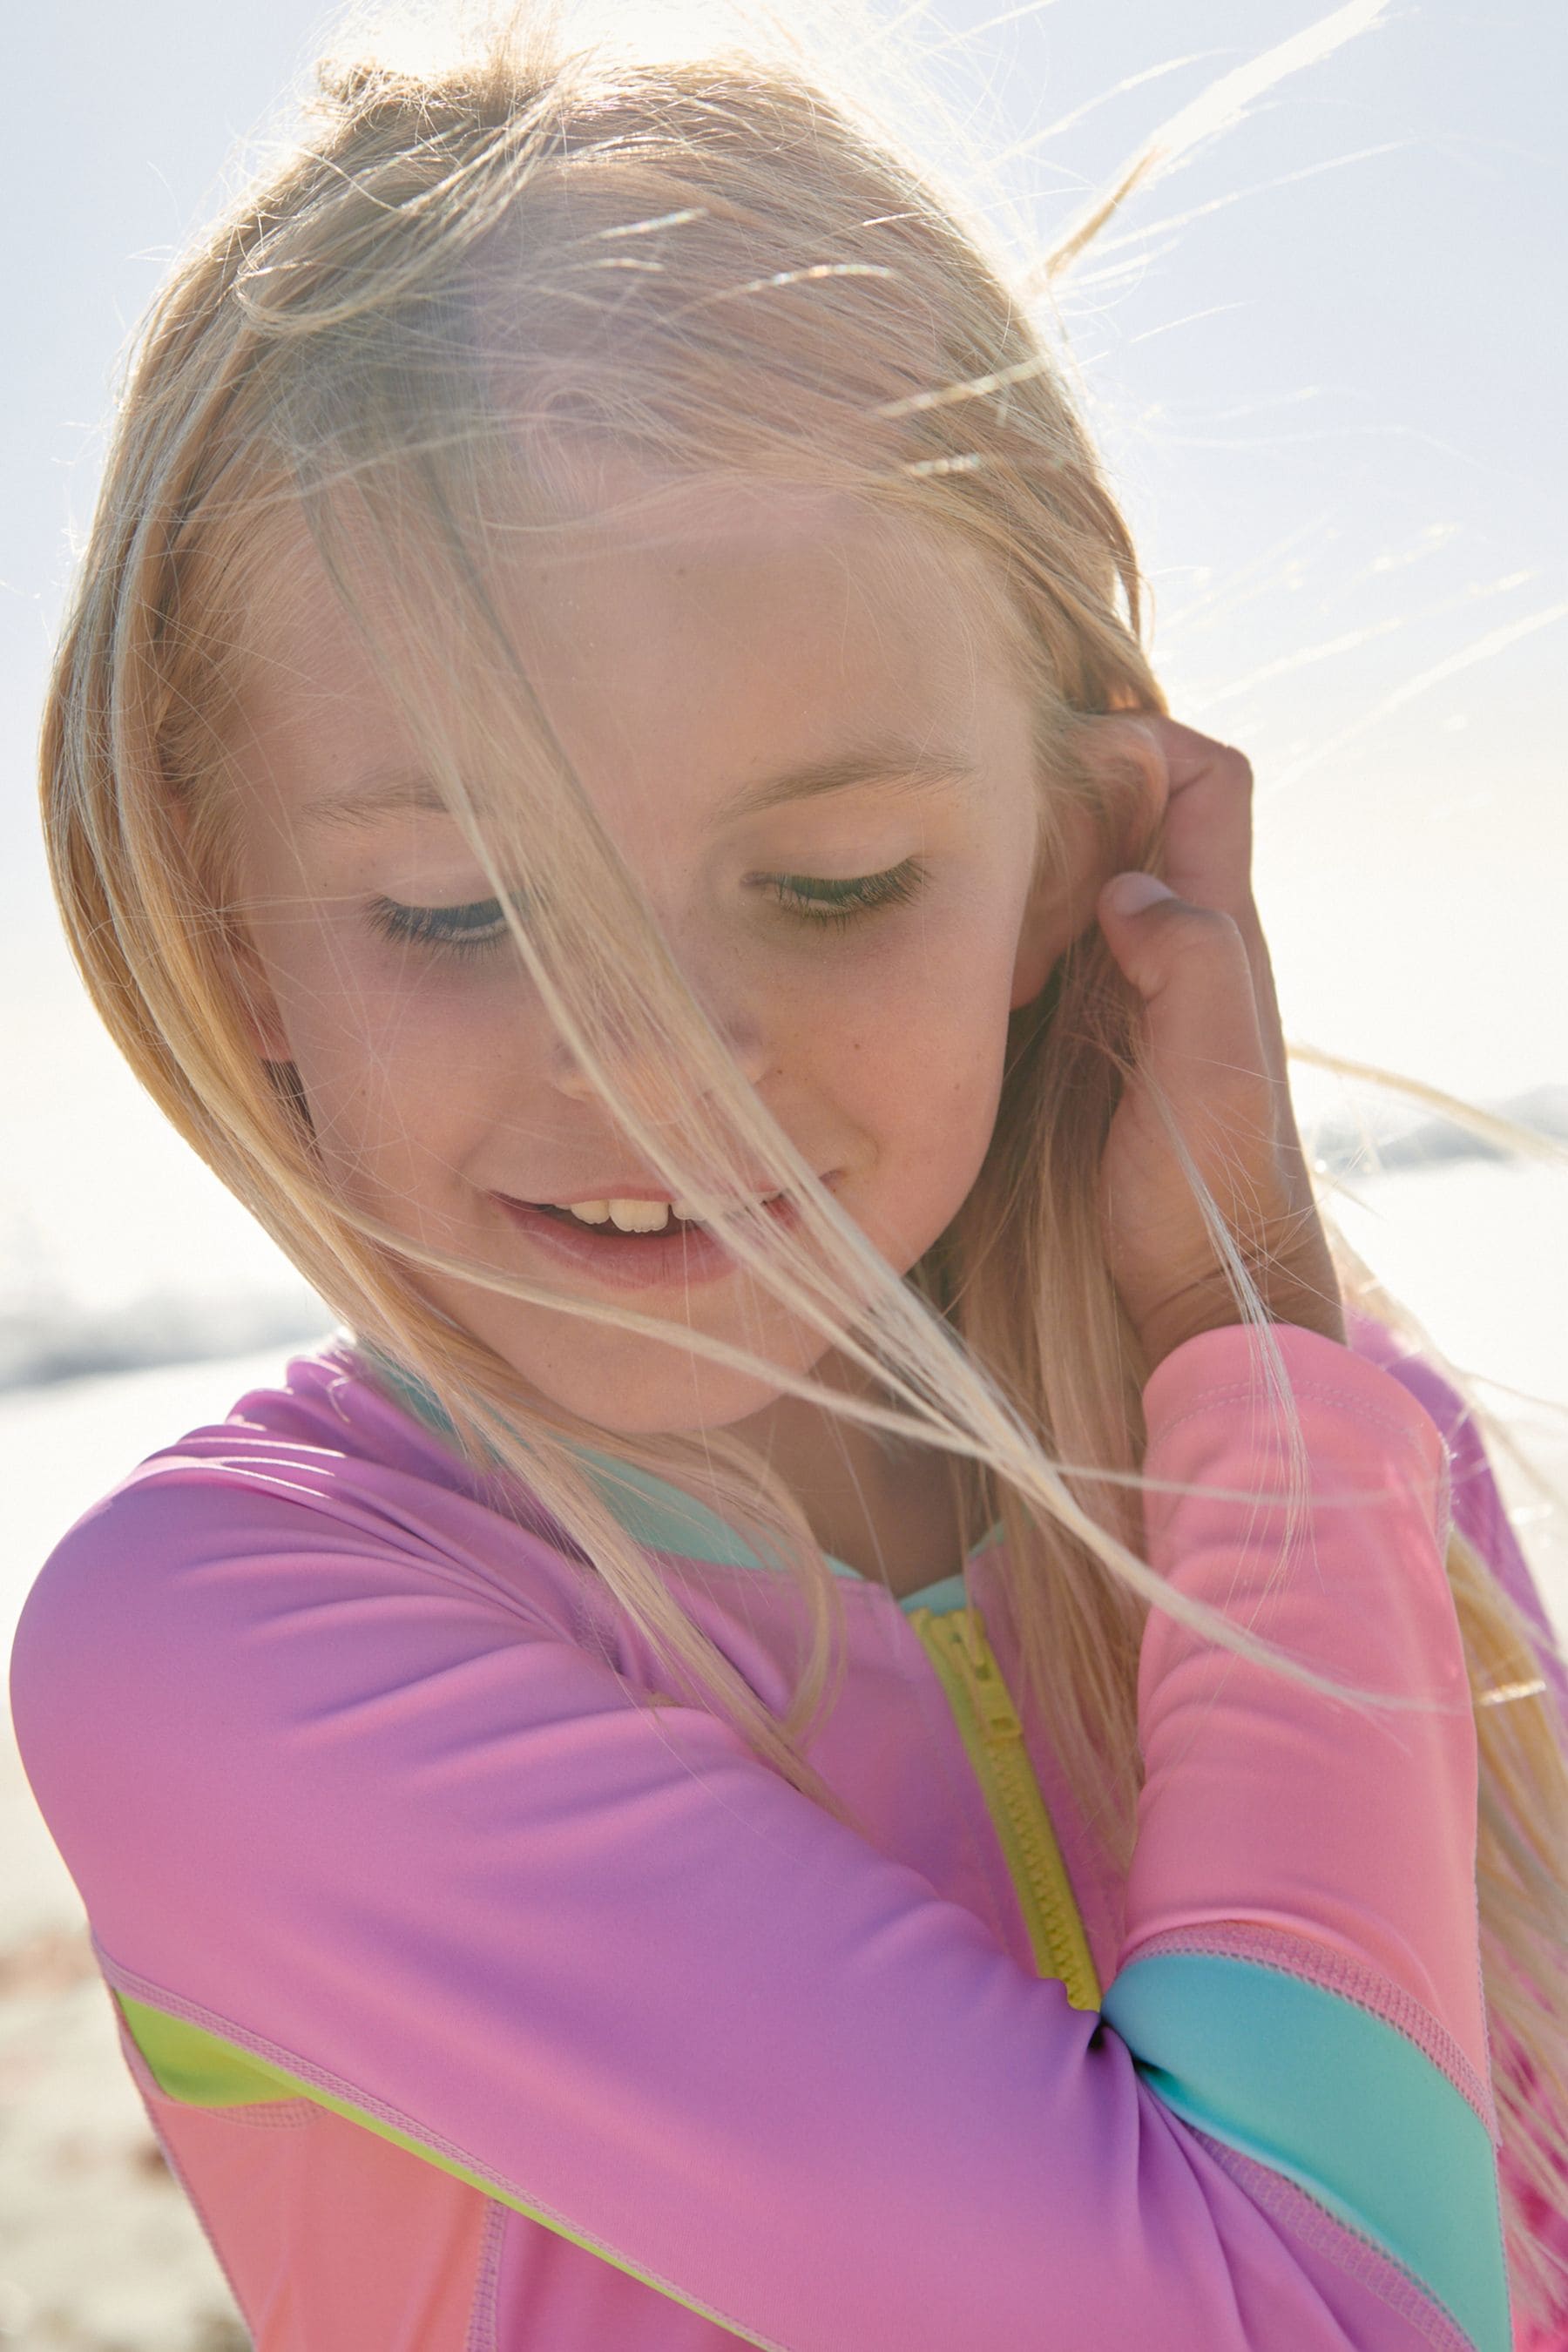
[1198, 958]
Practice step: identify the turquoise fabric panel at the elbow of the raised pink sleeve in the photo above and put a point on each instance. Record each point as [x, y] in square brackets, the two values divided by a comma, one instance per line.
[1336, 2102]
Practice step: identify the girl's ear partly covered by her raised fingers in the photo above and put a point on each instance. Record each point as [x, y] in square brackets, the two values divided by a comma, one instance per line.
[1090, 846]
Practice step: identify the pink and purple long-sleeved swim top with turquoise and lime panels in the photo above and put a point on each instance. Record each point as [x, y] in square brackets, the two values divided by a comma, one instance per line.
[483, 2010]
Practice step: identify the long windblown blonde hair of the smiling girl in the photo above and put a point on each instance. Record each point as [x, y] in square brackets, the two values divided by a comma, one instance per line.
[725, 272]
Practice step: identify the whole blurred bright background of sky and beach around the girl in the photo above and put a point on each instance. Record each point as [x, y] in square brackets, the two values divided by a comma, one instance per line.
[1327, 363]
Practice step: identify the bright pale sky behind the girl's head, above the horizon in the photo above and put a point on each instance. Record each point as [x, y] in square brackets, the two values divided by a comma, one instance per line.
[1327, 361]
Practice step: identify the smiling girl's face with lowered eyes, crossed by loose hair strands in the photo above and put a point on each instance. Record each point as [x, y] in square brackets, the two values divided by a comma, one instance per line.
[770, 697]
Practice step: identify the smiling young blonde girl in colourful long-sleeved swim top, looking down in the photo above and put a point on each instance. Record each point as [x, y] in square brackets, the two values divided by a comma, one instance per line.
[862, 1709]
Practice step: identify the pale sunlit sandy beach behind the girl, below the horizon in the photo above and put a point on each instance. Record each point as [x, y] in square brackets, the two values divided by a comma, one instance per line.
[100, 2250]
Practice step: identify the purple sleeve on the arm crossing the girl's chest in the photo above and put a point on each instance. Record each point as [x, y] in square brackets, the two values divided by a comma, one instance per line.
[335, 1782]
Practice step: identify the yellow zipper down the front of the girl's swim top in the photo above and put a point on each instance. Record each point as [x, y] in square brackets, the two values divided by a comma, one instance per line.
[993, 1737]
